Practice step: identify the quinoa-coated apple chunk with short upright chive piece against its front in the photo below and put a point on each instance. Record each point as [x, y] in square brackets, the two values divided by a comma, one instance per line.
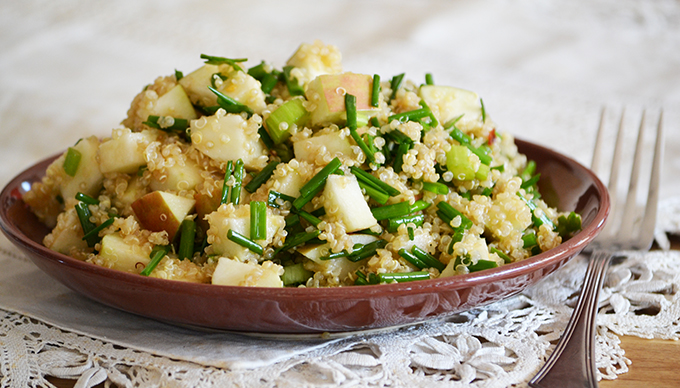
[238, 219]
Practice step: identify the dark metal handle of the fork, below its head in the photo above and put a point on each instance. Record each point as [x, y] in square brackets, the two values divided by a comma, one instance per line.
[572, 363]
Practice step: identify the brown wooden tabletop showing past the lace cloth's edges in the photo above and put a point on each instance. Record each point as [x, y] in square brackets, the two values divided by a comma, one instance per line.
[655, 363]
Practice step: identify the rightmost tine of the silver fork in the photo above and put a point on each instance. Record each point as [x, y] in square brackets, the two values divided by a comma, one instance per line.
[649, 220]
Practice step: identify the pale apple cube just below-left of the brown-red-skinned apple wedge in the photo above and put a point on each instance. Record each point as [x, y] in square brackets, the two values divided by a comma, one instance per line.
[121, 255]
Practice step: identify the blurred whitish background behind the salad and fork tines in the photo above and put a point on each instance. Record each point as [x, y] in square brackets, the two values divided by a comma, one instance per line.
[545, 69]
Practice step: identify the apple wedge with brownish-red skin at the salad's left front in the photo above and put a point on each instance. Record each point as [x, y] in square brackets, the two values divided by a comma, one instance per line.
[160, 211]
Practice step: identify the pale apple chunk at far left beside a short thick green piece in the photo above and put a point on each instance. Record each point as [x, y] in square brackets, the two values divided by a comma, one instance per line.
[88, 178]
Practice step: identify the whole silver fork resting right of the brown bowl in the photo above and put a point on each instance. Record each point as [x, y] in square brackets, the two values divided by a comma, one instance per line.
[572, 363]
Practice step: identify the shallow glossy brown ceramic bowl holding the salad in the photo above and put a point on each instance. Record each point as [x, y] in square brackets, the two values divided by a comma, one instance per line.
[564, 184]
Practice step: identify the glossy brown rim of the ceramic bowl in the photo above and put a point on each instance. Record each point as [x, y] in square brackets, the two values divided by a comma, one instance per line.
[574, 245]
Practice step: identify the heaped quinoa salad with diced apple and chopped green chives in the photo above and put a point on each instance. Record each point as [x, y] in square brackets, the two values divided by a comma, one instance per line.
[298, 176]
